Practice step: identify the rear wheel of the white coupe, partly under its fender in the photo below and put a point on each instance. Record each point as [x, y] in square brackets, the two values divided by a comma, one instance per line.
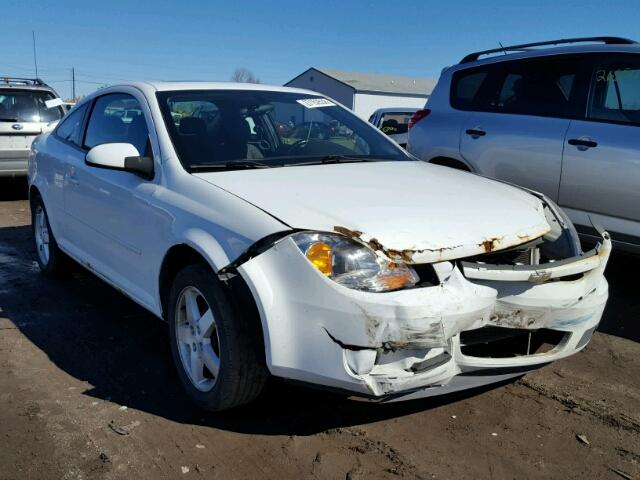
[51, 260]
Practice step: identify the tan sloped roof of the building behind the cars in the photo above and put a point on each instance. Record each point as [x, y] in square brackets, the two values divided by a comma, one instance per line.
[381, 83]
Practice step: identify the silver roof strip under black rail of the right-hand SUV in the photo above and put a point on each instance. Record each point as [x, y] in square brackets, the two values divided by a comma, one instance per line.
[542, 52]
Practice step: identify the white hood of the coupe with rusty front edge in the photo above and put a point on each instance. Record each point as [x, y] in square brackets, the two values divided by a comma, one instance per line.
[407, 210]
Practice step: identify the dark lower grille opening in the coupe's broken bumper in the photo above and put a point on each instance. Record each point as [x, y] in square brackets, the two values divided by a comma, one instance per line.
[500, 342]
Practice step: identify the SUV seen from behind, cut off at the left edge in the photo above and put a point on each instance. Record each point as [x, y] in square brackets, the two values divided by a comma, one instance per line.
[28, 107]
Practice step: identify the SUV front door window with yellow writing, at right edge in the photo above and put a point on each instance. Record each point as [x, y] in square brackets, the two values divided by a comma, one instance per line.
[616, 91]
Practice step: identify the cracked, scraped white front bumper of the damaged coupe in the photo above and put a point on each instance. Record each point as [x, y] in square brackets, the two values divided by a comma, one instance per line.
[429, 340]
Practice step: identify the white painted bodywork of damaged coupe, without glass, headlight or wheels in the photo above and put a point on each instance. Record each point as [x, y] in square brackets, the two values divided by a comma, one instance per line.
[121, 227]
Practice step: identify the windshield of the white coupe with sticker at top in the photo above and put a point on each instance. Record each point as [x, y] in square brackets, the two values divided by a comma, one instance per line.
[217, 128]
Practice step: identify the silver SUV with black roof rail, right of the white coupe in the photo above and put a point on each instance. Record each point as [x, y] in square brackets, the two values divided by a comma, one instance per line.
[559, 118]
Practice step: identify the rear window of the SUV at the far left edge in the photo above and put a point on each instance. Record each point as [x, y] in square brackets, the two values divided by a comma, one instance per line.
[27, 106]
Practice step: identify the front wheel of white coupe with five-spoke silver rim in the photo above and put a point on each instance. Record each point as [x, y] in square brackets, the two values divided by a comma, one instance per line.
[211, 346]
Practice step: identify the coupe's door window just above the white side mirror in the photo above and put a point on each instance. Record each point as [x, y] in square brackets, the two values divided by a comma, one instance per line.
[118, 118]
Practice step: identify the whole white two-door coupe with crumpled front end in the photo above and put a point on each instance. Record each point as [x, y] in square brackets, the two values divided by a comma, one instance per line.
[277, 233]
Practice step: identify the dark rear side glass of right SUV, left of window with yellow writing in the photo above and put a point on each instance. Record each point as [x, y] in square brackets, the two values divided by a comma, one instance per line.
[542, 87]
